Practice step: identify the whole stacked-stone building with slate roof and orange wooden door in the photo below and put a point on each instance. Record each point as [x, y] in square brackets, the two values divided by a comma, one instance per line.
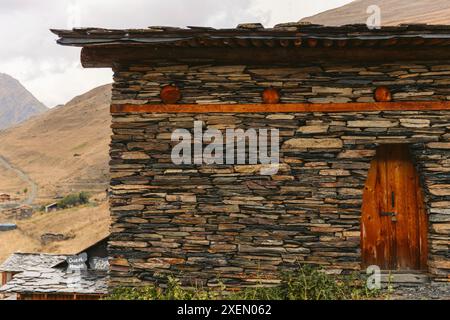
[364, 144]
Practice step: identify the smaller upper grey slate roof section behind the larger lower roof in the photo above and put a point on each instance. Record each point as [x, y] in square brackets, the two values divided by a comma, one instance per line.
[19, 262]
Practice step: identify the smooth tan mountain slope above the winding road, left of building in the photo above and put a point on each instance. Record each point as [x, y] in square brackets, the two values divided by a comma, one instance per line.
[65, 149]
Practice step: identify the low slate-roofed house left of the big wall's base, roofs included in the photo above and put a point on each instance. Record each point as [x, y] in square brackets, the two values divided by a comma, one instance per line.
[37, 276]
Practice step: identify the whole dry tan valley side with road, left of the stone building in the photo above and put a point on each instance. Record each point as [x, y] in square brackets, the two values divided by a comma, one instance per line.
[59, 152]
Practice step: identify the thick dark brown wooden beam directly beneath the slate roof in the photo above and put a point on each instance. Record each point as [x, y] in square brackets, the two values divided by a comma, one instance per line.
[99, 57]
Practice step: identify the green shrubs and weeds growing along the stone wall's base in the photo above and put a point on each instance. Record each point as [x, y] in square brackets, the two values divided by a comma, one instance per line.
[305, 283]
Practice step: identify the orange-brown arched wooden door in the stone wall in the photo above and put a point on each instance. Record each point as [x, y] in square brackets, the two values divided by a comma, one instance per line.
[394, 220]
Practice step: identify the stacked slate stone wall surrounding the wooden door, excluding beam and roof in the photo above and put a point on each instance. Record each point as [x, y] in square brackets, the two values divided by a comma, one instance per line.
[204, 223]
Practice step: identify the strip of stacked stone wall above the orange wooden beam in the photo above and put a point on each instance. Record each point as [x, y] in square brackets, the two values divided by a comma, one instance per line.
[315, 84]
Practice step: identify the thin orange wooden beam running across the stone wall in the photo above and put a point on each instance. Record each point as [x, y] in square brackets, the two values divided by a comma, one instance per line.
[281, 108]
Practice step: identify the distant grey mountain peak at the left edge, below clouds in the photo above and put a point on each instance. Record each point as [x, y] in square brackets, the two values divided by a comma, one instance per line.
[16, 103]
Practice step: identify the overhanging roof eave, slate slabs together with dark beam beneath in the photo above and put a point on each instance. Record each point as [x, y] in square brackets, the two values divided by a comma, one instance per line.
[251, 44]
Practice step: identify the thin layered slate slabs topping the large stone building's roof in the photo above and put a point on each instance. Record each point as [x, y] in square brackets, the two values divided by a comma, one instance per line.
[295, 34]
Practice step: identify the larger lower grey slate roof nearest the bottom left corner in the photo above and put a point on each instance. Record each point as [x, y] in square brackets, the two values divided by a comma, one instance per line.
[57, 281]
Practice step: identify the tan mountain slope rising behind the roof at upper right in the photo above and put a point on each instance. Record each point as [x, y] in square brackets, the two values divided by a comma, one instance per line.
[393, 12]
